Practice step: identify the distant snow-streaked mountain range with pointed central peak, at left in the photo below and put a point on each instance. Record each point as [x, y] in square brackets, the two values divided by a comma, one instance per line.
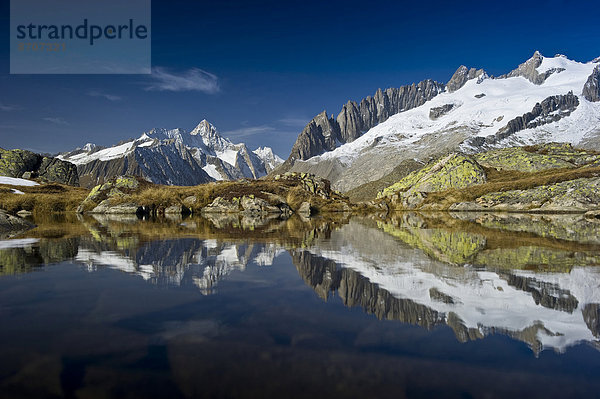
[173, 157]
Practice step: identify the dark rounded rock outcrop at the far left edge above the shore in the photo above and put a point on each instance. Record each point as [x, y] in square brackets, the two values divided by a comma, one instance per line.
[22, 163]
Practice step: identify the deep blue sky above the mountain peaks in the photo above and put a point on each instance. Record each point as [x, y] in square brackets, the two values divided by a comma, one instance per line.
[259, 71]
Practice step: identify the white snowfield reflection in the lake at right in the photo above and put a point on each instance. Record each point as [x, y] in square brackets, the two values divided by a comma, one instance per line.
[486, 301]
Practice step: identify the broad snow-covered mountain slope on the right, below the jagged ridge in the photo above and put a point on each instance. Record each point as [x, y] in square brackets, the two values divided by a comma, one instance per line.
[542, 100]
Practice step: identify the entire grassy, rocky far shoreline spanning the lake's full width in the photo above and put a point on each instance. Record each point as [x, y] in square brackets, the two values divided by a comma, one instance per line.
[551, 178]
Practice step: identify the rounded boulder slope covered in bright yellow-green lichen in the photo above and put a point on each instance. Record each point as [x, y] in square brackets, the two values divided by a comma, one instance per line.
[454, 171]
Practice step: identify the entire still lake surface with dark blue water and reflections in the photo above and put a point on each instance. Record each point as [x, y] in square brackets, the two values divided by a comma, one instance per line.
[435, 305]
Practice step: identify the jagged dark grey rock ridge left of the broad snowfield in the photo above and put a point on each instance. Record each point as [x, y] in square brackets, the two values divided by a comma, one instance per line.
[325, 133]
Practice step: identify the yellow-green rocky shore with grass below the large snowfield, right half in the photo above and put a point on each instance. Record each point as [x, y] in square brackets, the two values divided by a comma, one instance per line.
[550, 178]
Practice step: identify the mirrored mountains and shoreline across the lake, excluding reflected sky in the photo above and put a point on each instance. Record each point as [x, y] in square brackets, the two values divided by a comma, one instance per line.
[531, 277]
